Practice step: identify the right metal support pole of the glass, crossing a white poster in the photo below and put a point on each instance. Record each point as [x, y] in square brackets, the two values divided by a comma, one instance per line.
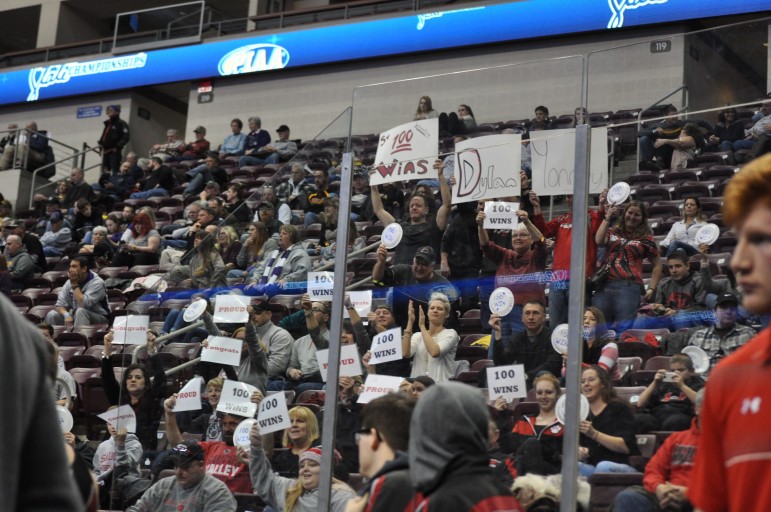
[575, 315]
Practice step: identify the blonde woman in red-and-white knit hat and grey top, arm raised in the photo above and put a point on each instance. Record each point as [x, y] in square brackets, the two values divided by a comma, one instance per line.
[288, 494]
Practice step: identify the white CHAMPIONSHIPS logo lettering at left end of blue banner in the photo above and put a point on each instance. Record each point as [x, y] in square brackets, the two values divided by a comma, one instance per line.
[61, 73]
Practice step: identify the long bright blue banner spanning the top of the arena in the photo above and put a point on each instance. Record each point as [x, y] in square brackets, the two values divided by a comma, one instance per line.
[352, 41]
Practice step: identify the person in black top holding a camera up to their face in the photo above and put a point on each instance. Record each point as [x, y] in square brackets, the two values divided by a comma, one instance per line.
[667, 403]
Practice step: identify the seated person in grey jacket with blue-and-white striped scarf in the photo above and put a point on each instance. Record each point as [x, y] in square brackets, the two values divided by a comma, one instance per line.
[289, 264]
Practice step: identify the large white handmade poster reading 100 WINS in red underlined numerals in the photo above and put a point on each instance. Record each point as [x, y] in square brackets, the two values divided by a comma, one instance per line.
[407, 152]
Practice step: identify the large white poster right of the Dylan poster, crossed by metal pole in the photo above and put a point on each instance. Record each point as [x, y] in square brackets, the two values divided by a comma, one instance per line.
[552, 154]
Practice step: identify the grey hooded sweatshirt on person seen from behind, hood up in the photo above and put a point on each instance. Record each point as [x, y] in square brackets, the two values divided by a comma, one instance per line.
[448, 461]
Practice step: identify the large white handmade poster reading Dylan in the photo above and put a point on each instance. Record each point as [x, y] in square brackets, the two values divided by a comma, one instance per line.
[487, 168]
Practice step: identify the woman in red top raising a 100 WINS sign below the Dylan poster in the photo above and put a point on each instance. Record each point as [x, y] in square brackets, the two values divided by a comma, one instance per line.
[527, 257]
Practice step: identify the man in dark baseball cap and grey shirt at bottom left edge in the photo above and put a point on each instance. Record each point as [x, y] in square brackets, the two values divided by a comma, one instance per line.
[190, 489]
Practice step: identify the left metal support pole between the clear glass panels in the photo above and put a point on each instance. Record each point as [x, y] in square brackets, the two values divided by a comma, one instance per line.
[336, 329]
